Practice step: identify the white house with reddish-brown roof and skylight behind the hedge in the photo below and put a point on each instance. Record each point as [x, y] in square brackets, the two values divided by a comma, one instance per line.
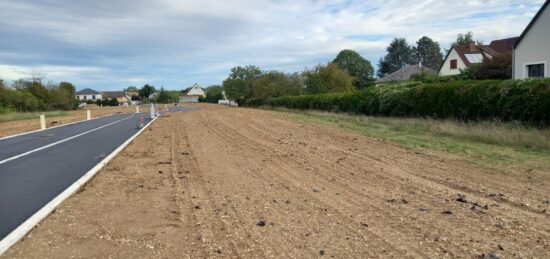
[460, 56]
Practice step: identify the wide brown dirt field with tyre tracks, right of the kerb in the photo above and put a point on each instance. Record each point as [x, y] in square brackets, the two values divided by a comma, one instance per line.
[240, 183]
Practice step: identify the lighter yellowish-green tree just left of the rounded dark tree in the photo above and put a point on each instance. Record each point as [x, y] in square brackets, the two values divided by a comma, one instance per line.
[328, 79]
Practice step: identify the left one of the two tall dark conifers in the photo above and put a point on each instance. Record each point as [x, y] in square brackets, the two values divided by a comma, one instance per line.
[399, 55]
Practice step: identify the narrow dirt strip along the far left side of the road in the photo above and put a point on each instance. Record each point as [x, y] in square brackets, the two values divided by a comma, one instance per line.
[21, 126]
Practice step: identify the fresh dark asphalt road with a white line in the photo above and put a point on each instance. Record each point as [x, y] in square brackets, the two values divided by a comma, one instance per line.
[36, 167]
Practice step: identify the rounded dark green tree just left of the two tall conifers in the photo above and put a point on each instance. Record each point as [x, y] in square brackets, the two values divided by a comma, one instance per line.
[357, 66]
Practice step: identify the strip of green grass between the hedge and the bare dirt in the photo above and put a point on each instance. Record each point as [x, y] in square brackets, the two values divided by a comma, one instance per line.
[490, 144]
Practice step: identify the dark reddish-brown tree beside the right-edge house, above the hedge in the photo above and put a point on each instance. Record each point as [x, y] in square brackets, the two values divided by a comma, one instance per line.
[499, 67]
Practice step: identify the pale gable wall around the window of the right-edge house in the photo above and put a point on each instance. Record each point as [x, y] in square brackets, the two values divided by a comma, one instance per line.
[534, 47]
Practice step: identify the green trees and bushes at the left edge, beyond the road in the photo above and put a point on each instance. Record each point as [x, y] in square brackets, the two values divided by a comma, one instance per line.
[35, 95]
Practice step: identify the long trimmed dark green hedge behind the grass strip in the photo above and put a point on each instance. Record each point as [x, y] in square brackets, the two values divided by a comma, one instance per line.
[527, 101]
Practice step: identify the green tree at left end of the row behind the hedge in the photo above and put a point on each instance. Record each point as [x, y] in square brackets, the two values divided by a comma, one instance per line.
[238, 85]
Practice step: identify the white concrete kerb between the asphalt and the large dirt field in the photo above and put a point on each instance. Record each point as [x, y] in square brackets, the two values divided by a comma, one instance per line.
[22, 230]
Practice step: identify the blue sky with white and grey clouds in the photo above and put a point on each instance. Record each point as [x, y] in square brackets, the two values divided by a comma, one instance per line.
[109, 45]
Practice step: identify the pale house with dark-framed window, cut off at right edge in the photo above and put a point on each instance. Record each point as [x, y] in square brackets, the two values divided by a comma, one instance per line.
[531, 52]
